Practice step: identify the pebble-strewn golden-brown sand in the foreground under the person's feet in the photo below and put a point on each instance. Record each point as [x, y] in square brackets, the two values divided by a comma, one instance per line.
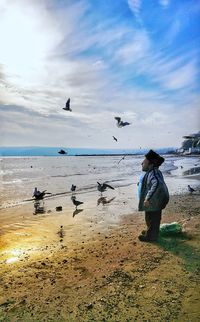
[109, 276]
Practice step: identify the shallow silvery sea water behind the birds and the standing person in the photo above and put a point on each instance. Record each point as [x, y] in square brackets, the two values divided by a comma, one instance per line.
[19, 175]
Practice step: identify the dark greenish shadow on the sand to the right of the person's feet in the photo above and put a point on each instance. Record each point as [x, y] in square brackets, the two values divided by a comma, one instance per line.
[178, 244]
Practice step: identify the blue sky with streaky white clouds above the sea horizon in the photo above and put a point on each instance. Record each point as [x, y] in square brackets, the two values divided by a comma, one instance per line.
[135, 59]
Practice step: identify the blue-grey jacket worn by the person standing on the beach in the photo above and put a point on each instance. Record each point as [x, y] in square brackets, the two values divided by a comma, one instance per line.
[154, 189]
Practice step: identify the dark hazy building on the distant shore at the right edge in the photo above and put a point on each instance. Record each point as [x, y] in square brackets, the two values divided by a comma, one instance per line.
[191, 144]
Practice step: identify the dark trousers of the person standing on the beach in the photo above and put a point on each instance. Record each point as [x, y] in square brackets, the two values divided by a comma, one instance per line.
[153, 219]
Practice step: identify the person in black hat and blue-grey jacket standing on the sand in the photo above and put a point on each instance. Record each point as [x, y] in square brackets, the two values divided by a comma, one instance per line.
[153, 196]
